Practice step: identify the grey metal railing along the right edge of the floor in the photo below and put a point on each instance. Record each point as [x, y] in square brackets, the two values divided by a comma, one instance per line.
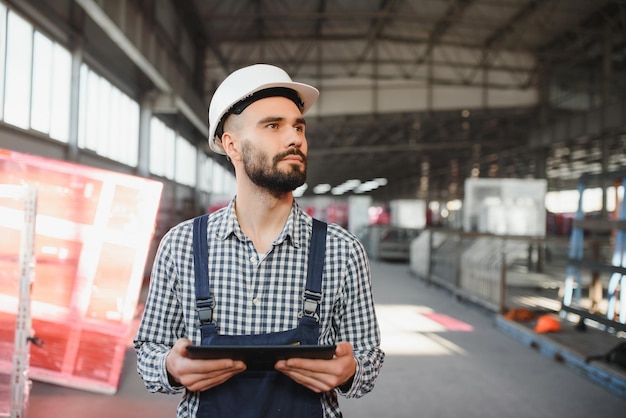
[488, 269]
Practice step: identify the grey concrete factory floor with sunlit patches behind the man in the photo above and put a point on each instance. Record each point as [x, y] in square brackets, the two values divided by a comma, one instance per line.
[445, 359]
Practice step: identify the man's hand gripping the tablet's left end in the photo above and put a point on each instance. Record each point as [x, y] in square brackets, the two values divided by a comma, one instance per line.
[198, 375]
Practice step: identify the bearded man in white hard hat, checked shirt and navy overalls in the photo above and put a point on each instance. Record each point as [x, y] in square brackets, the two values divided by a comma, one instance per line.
[255, 287]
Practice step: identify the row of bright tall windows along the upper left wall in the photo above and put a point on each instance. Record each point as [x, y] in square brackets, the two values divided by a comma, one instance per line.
[36, 92]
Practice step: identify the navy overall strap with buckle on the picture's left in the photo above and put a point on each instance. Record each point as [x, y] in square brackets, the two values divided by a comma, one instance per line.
[204, 299]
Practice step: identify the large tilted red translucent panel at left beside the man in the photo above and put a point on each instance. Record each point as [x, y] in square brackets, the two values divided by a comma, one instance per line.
[94, 229]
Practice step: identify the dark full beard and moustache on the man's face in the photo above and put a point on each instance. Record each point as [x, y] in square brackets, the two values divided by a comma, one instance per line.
[271, 178]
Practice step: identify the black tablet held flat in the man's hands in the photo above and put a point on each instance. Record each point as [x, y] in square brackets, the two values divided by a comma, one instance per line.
[260, 357]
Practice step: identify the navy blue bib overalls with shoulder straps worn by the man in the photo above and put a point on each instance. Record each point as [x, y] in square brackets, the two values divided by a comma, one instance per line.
[260, 393]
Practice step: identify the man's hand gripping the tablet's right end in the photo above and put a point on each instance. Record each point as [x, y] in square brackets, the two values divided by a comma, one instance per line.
[321, 375]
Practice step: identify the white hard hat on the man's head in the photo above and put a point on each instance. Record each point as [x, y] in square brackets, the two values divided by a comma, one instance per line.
[242, 84]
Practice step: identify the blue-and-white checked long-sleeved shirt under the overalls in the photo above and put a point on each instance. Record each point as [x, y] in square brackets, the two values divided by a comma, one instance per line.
[258, 293]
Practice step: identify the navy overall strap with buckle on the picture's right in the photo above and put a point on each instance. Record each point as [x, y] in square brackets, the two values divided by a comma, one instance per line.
[317, 252]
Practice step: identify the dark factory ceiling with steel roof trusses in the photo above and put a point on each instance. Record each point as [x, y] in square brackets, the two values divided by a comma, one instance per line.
[423, 93]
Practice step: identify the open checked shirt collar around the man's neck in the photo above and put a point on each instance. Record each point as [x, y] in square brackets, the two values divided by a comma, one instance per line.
[294, 230]
